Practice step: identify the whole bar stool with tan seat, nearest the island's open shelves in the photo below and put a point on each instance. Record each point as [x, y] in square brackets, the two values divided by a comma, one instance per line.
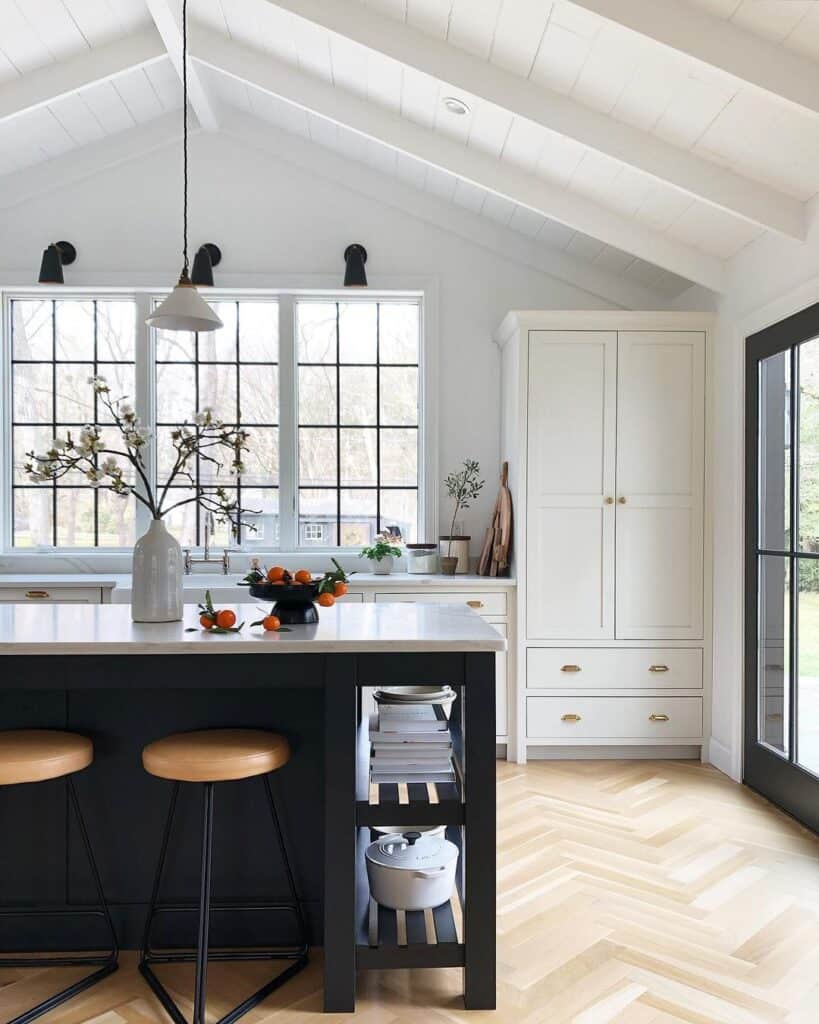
[209, 757]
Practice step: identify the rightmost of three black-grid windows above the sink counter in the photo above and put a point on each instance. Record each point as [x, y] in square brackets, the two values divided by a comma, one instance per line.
[358, 366]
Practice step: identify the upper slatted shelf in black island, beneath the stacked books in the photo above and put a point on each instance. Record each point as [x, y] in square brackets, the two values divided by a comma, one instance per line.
[411, 804]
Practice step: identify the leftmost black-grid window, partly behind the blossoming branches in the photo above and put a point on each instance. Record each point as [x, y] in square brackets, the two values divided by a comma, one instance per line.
[57, 347]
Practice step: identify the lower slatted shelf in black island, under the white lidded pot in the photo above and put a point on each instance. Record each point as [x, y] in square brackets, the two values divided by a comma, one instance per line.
[403, 940]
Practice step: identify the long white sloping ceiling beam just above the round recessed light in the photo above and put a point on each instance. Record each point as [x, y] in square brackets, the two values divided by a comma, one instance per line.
[698, 178]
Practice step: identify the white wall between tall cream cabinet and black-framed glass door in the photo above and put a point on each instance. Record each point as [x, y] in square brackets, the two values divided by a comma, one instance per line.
[769, 280]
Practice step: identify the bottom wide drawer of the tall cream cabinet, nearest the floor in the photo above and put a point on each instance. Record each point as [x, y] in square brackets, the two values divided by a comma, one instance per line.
[615, 718]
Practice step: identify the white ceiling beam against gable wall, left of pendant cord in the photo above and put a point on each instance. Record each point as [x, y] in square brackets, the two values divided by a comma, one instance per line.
[90, 160]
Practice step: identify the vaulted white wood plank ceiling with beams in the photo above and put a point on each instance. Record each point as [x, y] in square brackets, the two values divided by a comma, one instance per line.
[611, 131]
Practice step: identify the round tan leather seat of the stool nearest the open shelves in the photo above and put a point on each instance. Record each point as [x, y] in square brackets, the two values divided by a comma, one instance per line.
[217, 755]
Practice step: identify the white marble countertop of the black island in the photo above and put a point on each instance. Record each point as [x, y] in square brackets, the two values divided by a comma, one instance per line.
[352, 628]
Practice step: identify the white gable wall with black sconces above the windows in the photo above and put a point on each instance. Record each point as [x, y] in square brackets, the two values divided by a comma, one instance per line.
[280, 226]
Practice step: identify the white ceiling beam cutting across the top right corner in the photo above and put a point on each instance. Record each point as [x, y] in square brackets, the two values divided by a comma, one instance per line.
[689, 30]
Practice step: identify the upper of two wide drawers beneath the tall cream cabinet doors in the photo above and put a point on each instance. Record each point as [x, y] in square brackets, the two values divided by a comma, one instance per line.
[607, 669]
